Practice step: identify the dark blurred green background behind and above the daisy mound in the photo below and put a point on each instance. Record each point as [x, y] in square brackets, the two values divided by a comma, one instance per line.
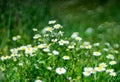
[95, 20]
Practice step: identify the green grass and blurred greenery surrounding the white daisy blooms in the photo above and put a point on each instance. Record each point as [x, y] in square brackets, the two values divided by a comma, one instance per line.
[19, 17]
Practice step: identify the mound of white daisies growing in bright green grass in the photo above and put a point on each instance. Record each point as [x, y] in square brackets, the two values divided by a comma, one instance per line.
[53, 57]
